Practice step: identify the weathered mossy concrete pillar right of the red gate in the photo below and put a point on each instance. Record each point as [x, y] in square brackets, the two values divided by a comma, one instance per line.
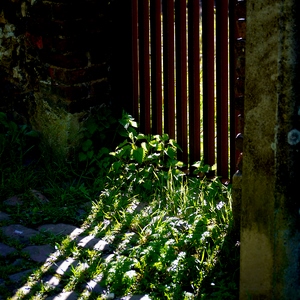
[270, 225]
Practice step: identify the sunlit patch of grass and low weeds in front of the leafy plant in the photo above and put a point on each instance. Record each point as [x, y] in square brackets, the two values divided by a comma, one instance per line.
[168, 248]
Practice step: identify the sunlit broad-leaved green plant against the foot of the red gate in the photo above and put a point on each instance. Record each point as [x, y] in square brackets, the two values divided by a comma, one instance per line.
[143, 159]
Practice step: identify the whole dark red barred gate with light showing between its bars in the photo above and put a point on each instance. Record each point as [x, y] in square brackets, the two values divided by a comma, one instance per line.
[176, 72]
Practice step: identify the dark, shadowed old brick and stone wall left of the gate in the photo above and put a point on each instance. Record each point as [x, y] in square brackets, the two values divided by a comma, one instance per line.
[54, 64]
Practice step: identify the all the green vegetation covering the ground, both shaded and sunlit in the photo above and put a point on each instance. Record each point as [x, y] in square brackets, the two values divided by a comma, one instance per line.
[170, 233]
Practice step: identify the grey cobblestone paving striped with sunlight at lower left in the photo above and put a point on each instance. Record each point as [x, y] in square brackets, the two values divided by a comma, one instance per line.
[22, 255]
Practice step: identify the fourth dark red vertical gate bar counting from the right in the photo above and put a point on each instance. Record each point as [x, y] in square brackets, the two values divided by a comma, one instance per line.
[181, 78]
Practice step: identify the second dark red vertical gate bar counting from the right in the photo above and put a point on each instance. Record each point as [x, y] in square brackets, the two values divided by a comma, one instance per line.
[208, 81]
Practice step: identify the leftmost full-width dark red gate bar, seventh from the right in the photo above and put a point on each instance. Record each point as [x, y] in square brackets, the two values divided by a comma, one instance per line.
[145, 120]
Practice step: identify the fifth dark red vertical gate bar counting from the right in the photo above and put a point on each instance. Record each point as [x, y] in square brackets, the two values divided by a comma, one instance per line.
[168, 64]
